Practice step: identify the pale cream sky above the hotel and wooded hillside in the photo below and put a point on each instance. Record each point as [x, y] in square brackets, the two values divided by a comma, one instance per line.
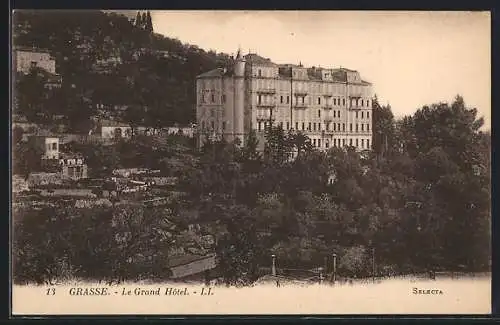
[412, 58]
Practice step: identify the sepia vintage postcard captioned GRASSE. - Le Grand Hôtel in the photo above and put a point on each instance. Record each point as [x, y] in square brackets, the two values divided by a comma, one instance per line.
[250, 162]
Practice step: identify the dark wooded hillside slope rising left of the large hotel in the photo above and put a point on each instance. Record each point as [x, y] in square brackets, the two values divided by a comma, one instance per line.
[107, 62]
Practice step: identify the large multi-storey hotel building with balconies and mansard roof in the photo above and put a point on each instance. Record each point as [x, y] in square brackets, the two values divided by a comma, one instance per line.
[333, 107]
